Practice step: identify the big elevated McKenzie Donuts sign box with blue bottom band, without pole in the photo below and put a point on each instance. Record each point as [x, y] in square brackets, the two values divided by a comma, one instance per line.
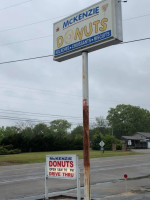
[95, 27]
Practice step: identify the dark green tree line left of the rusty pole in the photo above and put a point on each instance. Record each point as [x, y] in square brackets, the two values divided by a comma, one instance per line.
[41, 137]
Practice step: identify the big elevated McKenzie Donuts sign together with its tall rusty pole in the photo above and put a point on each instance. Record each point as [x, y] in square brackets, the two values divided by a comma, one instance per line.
[95, 27]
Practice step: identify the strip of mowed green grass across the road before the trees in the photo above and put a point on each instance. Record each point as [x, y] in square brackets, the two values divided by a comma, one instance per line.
[39, 157]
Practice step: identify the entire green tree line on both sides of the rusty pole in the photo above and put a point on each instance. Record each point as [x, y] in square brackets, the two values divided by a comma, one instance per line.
[58, 135]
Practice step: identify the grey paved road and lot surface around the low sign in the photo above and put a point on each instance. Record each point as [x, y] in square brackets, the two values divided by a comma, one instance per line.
[18, 182]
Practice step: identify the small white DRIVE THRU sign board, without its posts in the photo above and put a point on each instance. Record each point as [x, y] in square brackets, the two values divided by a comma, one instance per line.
[62, 166]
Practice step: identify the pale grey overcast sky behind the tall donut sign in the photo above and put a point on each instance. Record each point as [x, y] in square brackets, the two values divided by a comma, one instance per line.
[118, 74]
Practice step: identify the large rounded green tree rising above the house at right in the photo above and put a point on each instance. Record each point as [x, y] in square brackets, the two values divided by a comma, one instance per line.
[128, 119]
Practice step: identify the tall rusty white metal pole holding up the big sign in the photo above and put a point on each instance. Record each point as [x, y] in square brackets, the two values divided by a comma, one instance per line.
[86, 142]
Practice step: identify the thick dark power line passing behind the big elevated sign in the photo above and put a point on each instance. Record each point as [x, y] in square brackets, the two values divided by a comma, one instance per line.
[39, 57]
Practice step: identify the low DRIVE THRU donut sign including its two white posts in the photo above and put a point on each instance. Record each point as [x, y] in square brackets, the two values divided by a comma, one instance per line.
[62, 167]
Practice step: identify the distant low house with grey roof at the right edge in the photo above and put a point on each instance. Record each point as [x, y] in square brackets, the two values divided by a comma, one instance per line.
[139, 140]
